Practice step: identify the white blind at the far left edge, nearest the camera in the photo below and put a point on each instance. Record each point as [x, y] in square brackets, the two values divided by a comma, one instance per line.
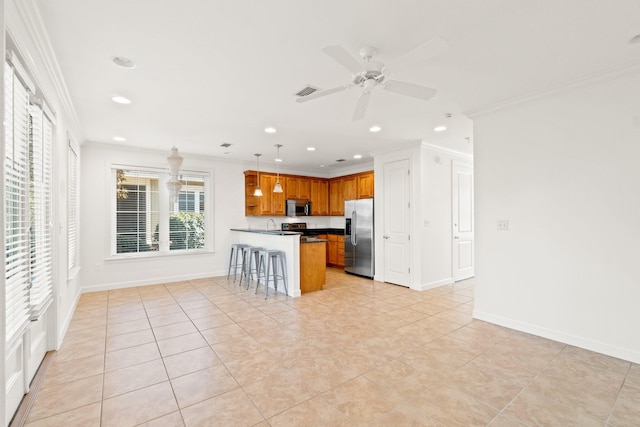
[16, 210]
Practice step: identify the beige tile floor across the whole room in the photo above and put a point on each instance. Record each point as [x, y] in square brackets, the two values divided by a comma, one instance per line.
[359, 353]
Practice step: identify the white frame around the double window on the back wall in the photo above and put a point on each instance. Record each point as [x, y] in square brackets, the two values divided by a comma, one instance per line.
[163, 213]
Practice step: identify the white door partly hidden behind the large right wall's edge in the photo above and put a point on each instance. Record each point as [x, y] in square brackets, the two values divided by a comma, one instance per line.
[463, 226]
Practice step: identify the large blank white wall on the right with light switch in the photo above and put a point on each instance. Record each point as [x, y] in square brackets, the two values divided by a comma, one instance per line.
[565, 171]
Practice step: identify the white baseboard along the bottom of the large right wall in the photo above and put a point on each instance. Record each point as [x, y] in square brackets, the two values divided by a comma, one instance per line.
[552, 334]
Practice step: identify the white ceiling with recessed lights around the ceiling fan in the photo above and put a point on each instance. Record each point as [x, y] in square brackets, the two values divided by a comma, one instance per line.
[210, 72]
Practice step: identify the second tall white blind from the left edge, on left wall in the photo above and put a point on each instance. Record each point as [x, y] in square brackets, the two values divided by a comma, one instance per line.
[41, 136]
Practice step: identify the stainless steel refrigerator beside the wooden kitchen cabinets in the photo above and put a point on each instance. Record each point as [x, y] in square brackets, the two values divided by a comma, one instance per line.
[358, 237]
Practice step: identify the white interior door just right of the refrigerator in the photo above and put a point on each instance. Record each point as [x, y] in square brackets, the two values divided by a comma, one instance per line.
[397, 225]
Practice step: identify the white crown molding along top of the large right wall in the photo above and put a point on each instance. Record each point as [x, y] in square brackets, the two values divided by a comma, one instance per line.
[593, 78]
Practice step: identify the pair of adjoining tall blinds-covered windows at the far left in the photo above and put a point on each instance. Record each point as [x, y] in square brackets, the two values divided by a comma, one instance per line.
[27, 205]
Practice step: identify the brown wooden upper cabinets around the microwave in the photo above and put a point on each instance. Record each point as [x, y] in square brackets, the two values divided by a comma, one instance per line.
[327, 196]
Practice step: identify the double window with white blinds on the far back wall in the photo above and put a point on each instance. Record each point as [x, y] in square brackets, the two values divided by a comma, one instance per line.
[148, 220]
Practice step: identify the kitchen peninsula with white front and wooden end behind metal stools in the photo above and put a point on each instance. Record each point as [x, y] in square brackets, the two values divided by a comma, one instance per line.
[289, 242]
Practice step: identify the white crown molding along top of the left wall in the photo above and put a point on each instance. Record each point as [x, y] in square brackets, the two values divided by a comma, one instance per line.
[32, 20]
